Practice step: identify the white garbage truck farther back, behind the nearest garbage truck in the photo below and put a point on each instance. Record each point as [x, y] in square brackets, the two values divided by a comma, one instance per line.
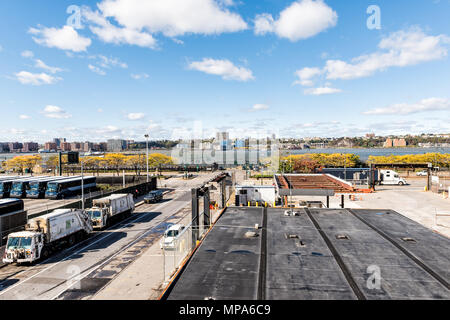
[107, 209]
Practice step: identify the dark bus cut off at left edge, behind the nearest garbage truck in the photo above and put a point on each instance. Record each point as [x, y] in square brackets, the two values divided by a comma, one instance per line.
[13, 218]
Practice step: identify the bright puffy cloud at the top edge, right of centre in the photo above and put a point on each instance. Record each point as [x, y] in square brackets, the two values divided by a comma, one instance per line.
[301, 20]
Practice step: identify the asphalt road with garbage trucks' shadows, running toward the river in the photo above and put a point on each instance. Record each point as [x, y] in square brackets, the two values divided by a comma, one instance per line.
[85, 268]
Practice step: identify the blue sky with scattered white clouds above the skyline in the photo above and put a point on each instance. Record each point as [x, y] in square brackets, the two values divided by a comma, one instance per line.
[294, 68]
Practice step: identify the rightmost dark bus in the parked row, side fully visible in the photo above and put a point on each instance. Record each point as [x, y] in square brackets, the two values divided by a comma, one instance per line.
[69, 187]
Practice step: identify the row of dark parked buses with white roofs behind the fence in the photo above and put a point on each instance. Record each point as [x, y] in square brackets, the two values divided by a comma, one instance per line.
[45, 187]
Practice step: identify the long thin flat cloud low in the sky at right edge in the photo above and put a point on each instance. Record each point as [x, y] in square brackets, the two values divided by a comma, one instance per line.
[431, 104]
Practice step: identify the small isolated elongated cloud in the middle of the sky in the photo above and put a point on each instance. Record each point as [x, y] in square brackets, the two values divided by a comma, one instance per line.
[224, 68]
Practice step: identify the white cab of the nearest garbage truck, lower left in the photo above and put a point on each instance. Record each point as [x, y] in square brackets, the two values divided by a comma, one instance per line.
[22, 247]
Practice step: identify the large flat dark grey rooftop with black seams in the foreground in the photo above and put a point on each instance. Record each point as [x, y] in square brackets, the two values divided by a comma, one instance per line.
[319, 254]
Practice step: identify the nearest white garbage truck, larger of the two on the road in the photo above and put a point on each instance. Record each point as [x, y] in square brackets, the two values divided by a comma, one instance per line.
[46, 234]
